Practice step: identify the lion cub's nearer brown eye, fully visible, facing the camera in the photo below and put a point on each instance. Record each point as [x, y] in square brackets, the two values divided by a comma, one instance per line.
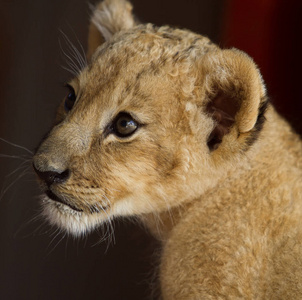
[124, 125]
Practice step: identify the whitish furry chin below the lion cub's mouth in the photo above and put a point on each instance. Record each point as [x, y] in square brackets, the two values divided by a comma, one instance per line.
[74, 221]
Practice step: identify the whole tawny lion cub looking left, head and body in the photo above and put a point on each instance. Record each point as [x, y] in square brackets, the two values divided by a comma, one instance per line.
[164, 125]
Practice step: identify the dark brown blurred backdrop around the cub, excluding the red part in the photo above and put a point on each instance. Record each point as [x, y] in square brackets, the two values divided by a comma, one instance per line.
[35, 262]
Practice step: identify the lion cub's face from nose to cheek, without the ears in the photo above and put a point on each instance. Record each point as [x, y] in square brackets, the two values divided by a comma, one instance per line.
[123, 144]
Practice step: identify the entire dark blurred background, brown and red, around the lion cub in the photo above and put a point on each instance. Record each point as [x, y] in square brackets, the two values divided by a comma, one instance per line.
[36, 261]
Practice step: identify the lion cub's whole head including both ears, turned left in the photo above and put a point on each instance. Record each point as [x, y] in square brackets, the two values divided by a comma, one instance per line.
[154, 120]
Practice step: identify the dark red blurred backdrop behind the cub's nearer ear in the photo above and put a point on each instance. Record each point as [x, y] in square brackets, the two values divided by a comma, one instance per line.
[270, 32]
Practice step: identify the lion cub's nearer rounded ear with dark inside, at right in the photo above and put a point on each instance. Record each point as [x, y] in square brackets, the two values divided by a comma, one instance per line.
[235, 98]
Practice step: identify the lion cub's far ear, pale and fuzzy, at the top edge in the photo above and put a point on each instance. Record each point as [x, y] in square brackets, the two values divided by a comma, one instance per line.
[108, 18]
